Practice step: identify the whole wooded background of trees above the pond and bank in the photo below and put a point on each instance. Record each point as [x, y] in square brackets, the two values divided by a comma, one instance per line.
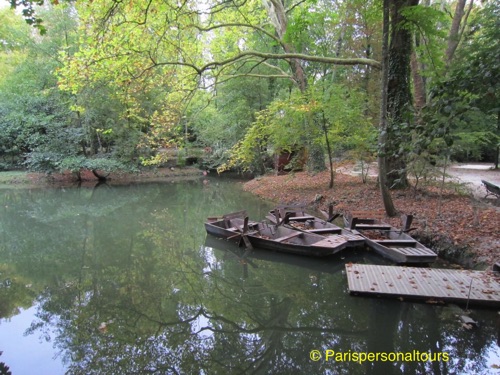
[112, 85]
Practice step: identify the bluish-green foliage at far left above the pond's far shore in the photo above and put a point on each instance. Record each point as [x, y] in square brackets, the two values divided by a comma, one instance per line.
[38, 127]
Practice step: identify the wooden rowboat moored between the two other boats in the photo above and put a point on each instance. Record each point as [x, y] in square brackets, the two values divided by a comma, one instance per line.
[296, 218]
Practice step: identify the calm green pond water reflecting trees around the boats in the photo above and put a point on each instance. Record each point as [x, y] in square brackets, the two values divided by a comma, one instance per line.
[124, 280]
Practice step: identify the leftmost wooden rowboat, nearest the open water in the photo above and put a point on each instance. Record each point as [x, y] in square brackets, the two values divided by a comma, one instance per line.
[267, 236]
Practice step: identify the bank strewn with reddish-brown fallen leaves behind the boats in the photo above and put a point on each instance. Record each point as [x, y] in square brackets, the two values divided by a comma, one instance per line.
[460, 228]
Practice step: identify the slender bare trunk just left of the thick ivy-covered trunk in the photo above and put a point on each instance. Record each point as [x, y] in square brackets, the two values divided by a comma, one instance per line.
[382, 141]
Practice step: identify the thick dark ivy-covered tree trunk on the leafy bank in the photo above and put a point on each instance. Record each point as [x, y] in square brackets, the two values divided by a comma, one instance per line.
[399, 98]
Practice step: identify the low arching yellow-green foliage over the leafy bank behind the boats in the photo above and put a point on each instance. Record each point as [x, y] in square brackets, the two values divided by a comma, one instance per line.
[289, 125]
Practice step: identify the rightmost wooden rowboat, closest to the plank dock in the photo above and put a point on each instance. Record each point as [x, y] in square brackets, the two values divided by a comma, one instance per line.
[392, 243]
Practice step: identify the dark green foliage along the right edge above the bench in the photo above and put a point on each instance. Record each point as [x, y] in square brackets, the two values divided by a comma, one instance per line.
[463, 109]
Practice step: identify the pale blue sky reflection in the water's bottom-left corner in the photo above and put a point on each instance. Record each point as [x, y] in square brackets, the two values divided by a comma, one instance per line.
[27, 355]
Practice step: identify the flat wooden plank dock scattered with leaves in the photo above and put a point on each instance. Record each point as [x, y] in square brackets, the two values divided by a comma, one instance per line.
[433, 285]
